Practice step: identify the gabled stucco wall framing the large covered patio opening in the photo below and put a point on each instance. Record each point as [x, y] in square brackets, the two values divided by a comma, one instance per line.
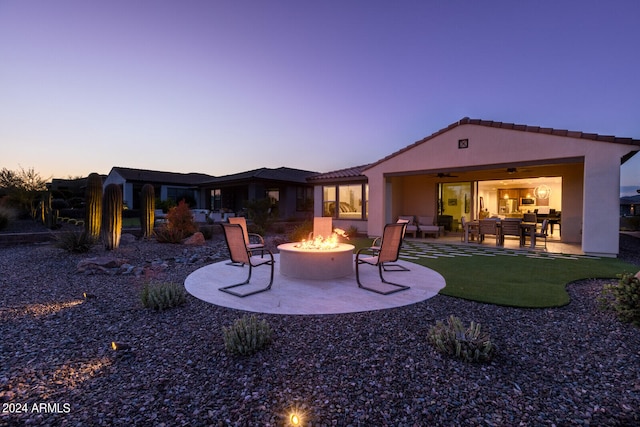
[590, 183]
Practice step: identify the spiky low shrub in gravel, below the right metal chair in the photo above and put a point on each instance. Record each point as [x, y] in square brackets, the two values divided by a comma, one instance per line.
[454, 339]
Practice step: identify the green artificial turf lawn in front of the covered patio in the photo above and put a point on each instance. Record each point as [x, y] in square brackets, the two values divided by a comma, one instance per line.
[517, 281]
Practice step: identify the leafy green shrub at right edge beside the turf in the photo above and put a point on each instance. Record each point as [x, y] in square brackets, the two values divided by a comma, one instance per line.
[623, 298]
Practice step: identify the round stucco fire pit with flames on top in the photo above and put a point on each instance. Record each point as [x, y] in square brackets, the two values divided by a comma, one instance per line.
[316, 264]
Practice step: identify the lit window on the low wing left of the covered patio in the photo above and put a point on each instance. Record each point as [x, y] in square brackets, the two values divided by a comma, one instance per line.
[348, 201]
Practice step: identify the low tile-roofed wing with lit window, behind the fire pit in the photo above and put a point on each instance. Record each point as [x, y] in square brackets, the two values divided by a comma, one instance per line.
[342, 195]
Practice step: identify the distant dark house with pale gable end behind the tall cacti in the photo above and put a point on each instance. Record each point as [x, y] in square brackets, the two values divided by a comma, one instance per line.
[167, 185]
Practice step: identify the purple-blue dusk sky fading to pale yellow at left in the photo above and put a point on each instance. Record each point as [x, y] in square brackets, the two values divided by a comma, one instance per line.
[220, 87]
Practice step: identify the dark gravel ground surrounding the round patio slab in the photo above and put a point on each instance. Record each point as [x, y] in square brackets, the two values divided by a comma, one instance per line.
[573, 365]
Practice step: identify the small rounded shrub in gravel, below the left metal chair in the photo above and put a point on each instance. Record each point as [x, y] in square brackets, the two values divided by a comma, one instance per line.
[247, 335]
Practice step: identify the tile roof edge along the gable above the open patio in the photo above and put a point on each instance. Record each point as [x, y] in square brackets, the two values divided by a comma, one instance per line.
[518, 127]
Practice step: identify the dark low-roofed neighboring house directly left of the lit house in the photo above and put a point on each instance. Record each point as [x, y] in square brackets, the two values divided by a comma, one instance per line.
[290, 194]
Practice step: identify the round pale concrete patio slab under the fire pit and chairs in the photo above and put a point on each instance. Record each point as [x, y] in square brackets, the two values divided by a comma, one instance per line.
[296, 296]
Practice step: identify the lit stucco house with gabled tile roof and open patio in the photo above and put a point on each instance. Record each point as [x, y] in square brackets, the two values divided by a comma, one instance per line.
[476, 167]
